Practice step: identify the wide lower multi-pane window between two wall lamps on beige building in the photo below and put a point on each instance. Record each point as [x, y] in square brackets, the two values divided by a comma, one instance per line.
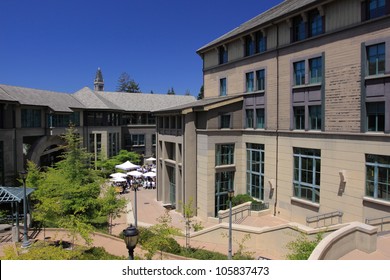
[307, 174]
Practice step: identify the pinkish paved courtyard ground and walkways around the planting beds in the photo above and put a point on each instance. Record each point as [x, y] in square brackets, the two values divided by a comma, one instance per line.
[150, 210]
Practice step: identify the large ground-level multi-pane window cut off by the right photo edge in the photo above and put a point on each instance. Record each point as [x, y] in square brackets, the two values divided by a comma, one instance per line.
[378, 176]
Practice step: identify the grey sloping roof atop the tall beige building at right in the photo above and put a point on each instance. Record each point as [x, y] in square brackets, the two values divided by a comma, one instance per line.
[276, 13]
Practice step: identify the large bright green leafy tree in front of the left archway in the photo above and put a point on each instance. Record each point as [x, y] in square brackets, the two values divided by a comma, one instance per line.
[69, 194]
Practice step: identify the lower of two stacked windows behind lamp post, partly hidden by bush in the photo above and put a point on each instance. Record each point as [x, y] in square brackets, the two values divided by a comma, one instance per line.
[224, 181]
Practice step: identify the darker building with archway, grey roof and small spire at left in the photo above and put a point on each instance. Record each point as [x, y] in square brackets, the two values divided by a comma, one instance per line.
[32, 122]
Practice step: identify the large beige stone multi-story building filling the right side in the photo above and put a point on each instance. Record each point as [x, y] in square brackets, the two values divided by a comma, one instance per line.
[296, 114]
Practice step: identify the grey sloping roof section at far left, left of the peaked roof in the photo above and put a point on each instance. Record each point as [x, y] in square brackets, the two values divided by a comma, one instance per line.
[59, 102]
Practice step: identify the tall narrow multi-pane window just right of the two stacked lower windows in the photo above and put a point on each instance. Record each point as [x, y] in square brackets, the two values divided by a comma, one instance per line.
[255, 170]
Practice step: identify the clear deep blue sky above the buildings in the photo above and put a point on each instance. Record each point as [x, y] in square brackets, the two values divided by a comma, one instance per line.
[59, 44]
